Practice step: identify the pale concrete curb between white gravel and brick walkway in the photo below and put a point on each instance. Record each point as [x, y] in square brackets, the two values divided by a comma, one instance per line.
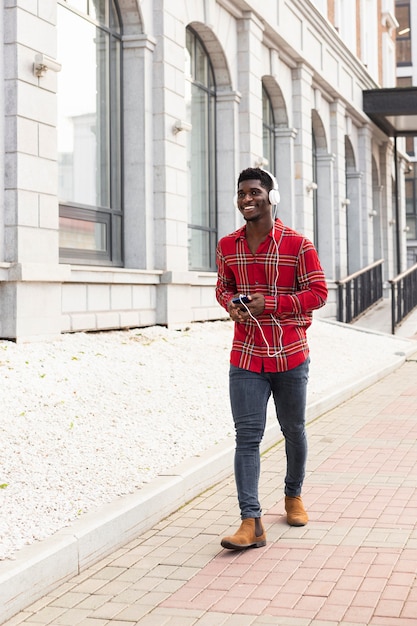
[43, 566]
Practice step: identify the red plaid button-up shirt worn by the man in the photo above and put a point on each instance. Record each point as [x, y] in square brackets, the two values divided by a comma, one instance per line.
[287, 270]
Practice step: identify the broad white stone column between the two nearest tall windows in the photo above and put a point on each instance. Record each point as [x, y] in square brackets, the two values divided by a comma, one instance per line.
[169, 104]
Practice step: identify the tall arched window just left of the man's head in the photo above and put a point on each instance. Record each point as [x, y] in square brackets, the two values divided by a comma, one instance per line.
[201, 156]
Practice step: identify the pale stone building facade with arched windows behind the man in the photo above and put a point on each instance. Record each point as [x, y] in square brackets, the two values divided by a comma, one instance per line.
[125, 124]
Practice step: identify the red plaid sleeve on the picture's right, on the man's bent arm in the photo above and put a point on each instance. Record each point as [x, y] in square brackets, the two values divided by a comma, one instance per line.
[311, 291]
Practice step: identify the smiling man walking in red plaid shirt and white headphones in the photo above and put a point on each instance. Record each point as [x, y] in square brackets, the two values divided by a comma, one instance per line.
[269, 280]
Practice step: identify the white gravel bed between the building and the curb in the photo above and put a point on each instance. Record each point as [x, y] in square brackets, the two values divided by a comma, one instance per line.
[94, 416]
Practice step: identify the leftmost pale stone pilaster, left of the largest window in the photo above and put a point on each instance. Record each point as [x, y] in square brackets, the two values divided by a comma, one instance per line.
[30, 297]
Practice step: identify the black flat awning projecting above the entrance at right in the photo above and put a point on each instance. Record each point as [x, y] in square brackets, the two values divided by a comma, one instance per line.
[393, 110]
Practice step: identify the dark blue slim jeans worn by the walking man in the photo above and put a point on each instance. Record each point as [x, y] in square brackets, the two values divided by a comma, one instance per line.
[249, 395]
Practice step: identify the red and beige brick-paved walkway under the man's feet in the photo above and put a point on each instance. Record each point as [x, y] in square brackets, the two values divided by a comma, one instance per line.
[355, 563]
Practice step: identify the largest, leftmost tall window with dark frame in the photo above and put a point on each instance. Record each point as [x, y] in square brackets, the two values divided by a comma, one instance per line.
[89, 132]
